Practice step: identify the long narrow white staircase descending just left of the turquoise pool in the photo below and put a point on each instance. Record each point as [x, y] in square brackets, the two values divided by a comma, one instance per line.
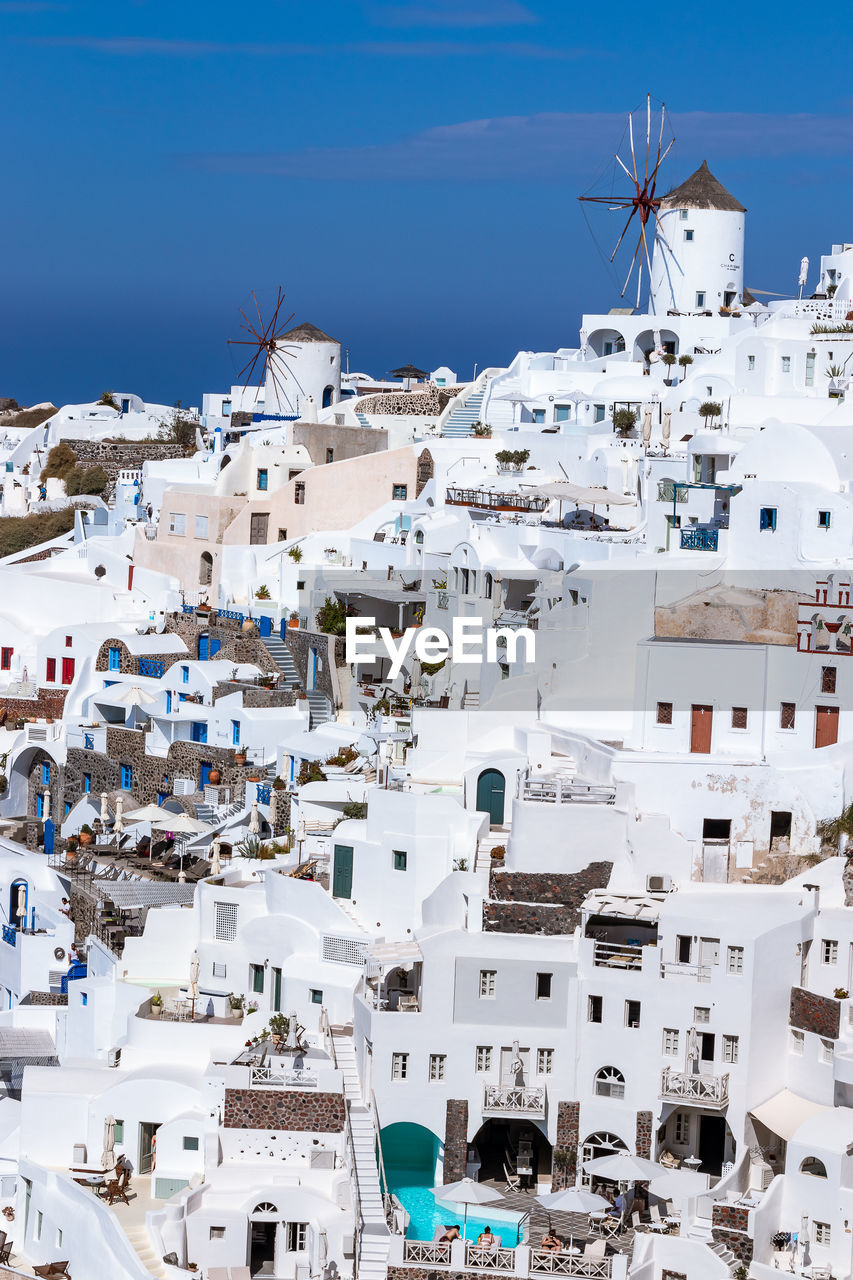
[373, 1235]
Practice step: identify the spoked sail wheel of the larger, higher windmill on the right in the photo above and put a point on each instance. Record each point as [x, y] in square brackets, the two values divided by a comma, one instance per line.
[638, 167]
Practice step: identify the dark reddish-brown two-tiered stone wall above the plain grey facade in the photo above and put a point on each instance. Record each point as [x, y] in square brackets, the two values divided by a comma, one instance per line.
[535, 903]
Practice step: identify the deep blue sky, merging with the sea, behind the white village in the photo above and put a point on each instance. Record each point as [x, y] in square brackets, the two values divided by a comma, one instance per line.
[407, 170]
